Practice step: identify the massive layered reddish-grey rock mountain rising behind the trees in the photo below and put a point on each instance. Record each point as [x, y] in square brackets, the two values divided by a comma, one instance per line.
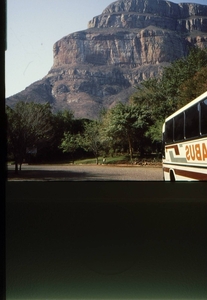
[132, 40]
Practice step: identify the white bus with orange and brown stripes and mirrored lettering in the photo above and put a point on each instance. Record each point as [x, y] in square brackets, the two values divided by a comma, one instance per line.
[185, 142]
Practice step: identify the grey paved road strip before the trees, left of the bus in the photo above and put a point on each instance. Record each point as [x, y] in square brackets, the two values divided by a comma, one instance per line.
[86, 173]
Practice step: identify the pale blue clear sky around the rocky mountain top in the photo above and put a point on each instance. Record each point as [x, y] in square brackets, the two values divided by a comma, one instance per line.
[33, 26]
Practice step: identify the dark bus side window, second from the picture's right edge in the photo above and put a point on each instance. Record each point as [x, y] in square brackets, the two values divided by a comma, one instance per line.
[192, 121]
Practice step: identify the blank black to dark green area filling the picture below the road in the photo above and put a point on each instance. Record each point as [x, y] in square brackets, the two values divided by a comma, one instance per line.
[85, 240]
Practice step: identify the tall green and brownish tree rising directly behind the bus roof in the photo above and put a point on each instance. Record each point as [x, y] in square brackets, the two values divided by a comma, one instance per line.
[181, 82]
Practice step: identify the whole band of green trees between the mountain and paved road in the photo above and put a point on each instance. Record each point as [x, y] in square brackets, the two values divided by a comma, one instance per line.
[134, 129]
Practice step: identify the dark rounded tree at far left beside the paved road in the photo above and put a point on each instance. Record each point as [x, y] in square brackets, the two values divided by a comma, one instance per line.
[28, 125]
